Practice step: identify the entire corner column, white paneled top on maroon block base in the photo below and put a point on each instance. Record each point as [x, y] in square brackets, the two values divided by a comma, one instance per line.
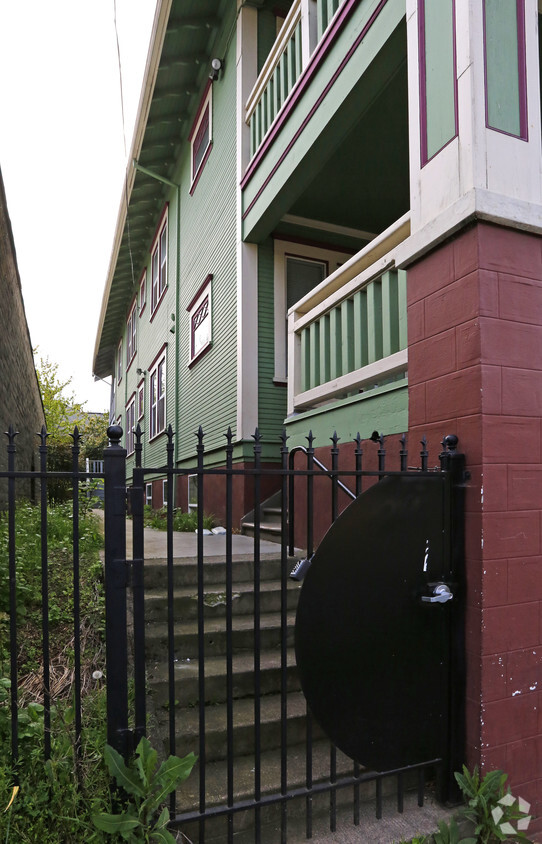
[474, 288]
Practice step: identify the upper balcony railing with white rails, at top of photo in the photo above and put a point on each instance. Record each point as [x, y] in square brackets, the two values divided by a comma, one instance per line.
[301, 31]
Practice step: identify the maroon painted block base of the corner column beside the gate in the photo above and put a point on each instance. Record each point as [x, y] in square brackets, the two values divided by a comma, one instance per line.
[475, 369]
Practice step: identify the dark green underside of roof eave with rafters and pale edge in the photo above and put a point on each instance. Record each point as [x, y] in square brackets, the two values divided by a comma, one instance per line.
[183, 41]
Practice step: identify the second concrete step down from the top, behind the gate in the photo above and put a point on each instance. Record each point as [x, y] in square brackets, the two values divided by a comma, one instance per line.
[185, 601]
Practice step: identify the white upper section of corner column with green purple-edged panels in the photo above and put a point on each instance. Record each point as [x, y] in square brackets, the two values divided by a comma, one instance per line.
[474, 113]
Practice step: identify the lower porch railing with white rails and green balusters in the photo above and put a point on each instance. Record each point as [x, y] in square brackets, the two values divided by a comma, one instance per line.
[350, 332]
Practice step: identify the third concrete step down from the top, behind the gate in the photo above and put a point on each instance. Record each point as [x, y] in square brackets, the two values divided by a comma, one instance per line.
[186, 635]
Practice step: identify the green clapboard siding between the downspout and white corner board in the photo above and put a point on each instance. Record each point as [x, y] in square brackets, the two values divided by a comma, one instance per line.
[208, 389]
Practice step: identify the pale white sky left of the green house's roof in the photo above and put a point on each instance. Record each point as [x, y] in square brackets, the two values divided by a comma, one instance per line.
[63, 161]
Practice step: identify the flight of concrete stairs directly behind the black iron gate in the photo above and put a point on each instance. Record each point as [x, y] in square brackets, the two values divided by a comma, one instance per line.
[187, 694]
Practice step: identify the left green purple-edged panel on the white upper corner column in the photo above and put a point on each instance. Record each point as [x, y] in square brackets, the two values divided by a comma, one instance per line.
[439, 72]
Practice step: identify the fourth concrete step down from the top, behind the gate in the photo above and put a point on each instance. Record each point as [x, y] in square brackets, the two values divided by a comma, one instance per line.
[187, 683]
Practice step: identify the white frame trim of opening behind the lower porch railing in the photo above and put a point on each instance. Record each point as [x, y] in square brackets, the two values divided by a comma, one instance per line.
[283, 250]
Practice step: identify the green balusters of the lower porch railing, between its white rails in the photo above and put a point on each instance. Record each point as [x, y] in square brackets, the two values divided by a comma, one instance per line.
[363, 329]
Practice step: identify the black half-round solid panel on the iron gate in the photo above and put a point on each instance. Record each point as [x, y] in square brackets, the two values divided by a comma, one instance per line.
[372, 656]
